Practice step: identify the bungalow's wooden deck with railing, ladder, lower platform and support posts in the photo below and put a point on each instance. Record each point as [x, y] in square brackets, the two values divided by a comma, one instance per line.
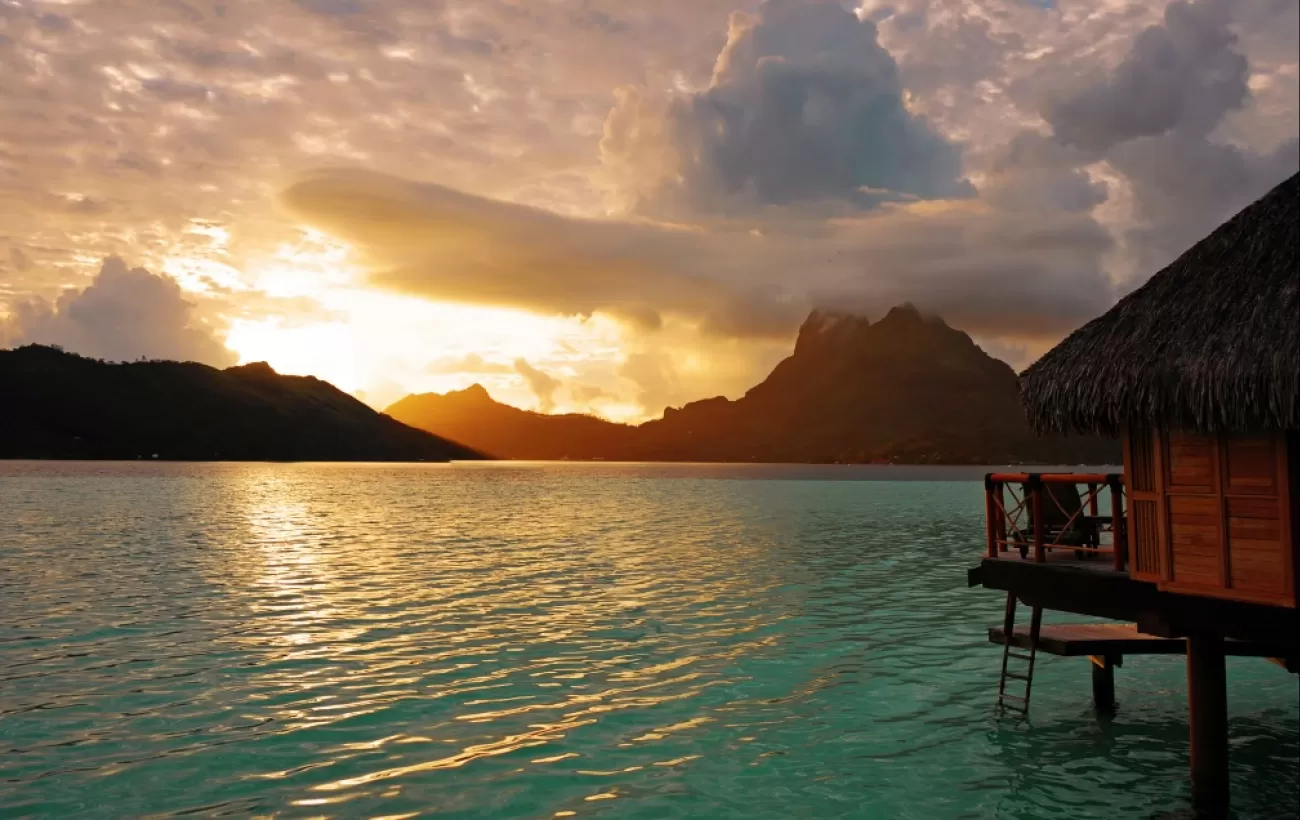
[1052, 548]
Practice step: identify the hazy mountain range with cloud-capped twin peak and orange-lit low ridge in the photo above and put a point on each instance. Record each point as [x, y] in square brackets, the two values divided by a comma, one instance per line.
[905, 389]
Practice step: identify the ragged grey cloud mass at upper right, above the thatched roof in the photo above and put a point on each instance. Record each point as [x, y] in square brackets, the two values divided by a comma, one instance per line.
[1154, 122]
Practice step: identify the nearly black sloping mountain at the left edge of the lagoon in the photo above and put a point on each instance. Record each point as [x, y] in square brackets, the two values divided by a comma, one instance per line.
[63, 406]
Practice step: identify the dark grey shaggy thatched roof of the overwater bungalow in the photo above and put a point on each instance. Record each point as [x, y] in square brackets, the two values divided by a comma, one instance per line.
[1210, 344]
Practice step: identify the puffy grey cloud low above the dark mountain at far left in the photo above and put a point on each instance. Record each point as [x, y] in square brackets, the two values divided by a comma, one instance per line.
[123, 315]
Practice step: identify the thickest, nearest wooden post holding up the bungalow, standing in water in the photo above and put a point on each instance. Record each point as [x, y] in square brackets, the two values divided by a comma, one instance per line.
[1207, 701]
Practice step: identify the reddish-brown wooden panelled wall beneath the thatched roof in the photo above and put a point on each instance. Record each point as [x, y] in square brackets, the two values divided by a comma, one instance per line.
[1212, 515]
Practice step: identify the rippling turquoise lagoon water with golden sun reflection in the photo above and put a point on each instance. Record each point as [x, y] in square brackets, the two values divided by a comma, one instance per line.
[548, 641]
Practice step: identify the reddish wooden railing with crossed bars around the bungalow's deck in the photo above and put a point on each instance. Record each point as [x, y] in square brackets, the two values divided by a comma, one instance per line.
[1025, 514]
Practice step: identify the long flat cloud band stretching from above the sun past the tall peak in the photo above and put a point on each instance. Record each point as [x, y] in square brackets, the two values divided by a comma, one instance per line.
[978, 267]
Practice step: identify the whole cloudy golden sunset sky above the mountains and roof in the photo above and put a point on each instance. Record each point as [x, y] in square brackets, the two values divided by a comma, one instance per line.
[610, 207]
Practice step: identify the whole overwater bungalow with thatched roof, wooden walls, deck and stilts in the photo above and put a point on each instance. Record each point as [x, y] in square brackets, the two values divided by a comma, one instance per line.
[1198, 372]
